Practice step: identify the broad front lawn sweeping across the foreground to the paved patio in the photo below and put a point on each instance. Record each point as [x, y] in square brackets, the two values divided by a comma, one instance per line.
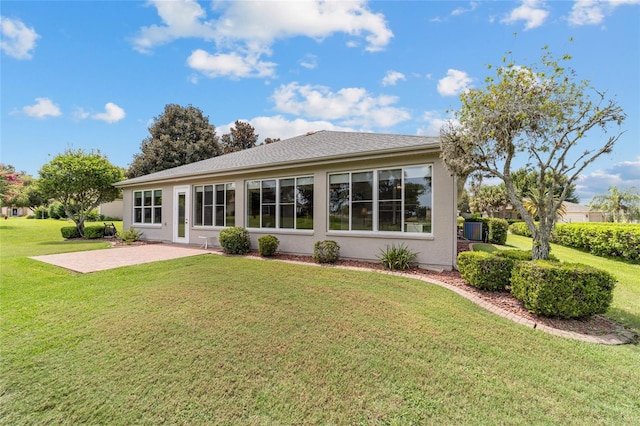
[233, 340]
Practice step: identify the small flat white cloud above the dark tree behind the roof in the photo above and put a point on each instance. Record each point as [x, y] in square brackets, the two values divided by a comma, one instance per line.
[230, 65]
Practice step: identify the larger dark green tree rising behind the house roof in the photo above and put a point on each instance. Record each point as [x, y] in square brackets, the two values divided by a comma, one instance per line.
[180, 135]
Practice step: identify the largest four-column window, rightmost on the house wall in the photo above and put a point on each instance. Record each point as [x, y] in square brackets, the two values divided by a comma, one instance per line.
[389, 200]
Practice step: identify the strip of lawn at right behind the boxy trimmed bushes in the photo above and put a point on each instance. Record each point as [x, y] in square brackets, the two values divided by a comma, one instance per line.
[625, 307]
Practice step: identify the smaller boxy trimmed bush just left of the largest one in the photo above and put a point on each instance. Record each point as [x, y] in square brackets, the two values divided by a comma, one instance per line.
[484, 270]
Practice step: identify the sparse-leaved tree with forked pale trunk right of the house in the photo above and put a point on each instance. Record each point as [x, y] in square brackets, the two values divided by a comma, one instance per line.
[538, 112]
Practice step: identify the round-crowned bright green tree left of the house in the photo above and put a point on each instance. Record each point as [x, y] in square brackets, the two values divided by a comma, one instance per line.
[81, 182]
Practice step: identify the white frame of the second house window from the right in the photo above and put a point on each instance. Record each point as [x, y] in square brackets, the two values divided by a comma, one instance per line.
[258, 184]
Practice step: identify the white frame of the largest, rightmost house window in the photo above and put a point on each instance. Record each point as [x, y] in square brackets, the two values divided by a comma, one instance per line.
[376, 202]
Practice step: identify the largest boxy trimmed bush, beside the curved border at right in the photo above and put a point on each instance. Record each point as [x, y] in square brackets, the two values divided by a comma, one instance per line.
[562, 290]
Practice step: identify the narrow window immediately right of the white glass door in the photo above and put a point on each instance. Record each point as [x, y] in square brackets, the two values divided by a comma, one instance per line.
[214, 205]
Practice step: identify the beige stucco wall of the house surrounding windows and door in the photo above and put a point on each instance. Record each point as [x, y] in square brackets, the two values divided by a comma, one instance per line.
[437, 250]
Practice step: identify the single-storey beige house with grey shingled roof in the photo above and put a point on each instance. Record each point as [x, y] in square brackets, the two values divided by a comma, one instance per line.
[362, 190]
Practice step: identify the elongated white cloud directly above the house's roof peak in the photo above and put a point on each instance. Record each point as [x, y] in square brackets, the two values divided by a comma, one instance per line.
[352, 106]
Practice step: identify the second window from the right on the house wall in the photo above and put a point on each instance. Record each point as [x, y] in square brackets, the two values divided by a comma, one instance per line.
[280, 203]
